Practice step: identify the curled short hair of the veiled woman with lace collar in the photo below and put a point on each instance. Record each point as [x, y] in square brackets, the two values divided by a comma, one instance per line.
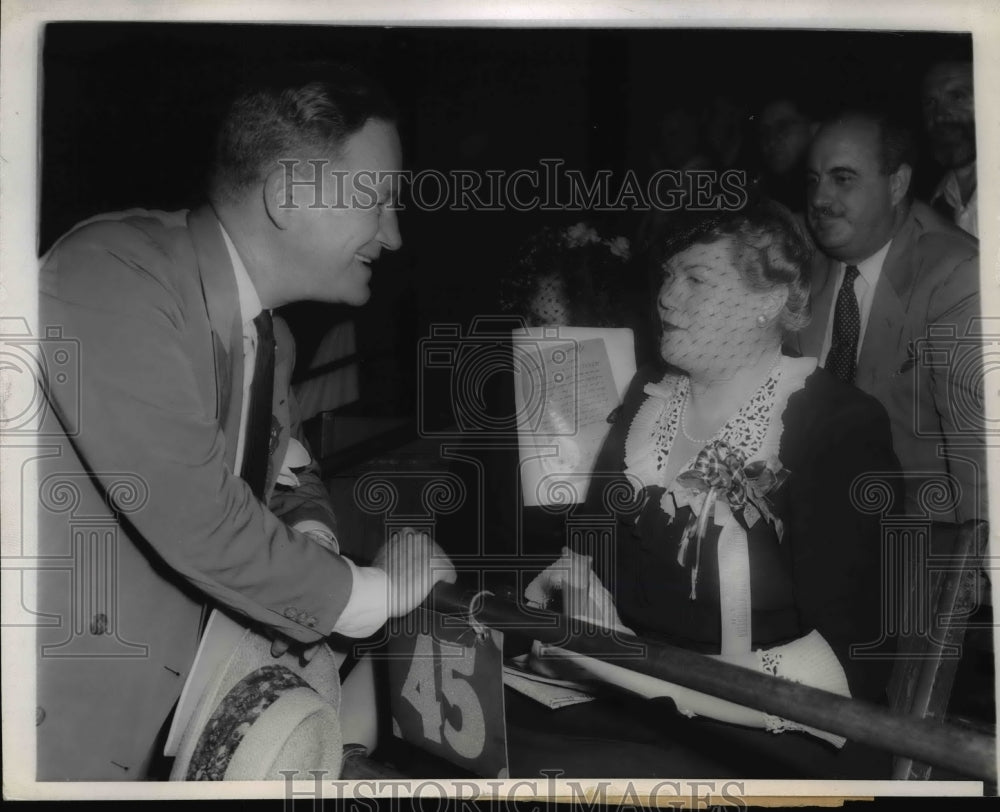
[769, 247]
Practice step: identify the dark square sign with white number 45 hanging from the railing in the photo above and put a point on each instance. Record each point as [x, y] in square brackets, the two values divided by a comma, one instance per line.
[447, 693]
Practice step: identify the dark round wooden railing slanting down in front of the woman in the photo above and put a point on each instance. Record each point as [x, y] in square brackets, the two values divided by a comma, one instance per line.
[964, 751]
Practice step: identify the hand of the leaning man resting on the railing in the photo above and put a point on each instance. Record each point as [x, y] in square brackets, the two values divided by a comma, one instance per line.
[413, 564]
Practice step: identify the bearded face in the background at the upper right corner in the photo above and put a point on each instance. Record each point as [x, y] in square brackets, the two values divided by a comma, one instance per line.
[949, 113]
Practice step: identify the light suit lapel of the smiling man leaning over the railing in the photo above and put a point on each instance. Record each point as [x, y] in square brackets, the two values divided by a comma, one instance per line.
[218, 283]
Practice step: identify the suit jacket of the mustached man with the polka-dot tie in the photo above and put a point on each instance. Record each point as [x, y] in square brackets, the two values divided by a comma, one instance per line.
[920, 359]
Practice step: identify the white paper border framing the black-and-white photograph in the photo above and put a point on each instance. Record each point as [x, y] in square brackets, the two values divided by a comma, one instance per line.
[23, 22]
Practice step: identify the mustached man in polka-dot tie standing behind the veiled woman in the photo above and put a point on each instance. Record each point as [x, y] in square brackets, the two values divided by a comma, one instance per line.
[906, 331]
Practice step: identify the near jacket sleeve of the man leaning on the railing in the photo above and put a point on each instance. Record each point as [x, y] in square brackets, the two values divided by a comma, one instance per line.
[144, 409]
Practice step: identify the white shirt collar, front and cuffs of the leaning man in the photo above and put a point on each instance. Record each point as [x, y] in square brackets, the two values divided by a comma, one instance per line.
[367, 608]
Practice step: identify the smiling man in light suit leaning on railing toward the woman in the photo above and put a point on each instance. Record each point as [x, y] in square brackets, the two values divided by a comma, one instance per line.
[179, 475]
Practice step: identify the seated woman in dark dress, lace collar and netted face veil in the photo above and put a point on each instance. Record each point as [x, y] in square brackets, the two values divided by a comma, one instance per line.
[747, 538]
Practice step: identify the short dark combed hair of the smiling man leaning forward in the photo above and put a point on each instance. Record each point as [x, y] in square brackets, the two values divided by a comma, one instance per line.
[312, 107]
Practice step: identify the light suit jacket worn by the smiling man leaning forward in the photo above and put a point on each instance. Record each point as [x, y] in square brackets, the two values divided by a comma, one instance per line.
[141, 514]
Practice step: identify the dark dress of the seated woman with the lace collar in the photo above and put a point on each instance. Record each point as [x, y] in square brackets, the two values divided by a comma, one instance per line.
[824, 574]
